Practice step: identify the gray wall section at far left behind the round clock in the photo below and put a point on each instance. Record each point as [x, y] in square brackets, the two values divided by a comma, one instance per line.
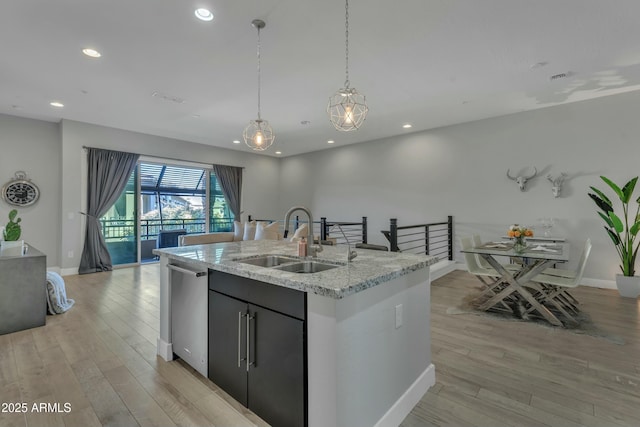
[33, 146]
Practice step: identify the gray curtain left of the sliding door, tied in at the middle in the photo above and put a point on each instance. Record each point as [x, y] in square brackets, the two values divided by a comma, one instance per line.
[108, 174]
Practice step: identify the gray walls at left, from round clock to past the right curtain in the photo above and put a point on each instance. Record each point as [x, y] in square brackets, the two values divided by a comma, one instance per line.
[53, 157]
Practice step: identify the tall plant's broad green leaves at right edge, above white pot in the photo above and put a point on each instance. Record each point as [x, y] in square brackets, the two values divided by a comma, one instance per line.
[622, 231]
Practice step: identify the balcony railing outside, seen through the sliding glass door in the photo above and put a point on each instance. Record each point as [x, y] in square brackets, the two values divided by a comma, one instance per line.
[119, 229]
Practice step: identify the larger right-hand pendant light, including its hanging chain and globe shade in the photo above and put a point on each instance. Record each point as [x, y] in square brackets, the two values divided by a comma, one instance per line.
[347, 107]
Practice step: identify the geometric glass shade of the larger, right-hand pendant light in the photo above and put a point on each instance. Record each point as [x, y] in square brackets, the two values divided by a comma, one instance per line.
[347, 109]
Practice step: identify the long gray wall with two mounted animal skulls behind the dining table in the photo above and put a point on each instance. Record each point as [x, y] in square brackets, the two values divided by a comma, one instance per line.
[460, 171]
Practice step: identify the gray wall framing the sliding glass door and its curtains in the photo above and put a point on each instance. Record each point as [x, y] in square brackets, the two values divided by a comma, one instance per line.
[259, 179]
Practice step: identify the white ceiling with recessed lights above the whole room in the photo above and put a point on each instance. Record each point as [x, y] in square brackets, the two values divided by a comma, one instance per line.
[430, 63]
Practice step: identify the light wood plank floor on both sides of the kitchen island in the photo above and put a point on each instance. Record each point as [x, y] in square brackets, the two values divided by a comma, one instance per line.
[101, 358]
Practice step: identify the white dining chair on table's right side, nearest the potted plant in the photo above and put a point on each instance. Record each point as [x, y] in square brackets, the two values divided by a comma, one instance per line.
[556, 283]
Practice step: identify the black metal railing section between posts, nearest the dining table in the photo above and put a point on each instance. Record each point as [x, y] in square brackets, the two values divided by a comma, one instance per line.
[435, 239]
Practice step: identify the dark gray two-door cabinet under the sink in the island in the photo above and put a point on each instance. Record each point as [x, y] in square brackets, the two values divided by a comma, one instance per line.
[257, 347]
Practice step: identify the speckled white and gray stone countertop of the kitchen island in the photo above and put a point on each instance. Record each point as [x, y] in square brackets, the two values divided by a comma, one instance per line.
[370, 268]
